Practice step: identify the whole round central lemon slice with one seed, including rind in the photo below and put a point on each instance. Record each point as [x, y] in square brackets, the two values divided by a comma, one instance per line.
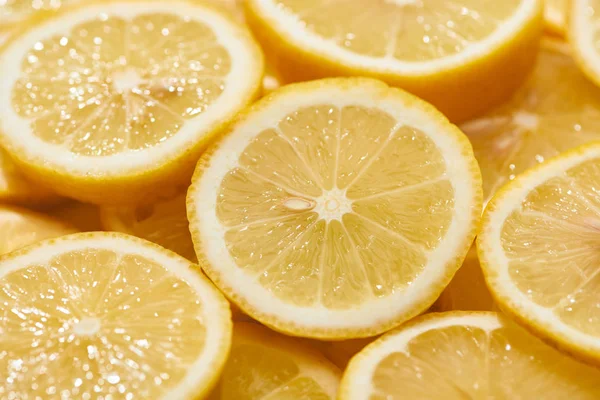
[336, 208]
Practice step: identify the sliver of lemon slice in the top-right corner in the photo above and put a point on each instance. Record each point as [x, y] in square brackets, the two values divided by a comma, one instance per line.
[584, 31]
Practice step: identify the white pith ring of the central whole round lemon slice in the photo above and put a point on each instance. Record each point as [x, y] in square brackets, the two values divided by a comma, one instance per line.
[370, 313]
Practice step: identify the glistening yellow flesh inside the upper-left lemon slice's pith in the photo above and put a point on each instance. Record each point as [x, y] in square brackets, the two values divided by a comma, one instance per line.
[115, 85]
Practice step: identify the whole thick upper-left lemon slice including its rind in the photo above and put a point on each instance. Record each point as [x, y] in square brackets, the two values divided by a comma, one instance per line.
[107, 101]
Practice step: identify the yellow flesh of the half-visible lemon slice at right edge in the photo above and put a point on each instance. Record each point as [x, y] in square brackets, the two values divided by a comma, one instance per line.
[551, 242]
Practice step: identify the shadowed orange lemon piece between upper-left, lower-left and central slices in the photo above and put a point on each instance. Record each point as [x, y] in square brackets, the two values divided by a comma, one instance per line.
[164, 223]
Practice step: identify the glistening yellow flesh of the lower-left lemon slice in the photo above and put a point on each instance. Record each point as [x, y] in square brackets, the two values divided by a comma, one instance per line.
[94, 323]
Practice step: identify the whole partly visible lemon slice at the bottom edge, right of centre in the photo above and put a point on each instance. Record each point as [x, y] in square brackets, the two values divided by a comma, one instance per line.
[465, 355]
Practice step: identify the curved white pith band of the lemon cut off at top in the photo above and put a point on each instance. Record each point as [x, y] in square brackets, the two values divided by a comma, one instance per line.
[292, 29]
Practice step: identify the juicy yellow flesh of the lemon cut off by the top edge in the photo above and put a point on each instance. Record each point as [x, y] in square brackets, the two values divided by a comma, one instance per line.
[407, 30]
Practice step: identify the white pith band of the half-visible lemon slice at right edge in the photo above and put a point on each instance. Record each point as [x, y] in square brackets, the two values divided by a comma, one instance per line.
[497, 262]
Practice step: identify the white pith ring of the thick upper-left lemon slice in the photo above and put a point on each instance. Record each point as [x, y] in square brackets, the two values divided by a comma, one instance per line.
[18, 130]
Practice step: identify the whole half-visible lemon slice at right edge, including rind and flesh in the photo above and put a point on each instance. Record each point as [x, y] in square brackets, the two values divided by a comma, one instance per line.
[539, 255]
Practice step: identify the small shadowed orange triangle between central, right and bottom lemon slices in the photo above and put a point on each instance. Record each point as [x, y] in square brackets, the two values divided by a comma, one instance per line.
[467, 291]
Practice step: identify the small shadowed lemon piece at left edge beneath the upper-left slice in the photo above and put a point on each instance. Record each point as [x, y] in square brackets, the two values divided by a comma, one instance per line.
[15, 188]
